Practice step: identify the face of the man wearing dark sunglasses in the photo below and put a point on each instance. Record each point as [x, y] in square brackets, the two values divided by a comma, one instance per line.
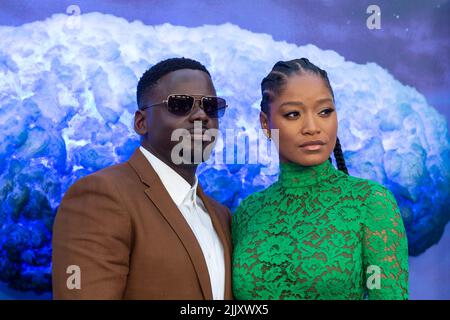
[156, 124]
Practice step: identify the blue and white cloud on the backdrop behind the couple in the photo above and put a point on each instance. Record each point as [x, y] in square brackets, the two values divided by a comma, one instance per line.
[67, 98]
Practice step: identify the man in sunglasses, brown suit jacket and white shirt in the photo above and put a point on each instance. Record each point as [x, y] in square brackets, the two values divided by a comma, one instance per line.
[144, 229]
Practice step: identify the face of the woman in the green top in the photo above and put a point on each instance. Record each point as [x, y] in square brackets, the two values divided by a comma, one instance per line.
[303, 112]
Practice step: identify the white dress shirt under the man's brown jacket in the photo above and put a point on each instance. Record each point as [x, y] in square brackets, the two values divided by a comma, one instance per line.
[194, 212]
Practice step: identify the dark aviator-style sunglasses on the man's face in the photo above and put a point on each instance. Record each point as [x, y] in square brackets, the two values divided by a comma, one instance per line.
[182, 104]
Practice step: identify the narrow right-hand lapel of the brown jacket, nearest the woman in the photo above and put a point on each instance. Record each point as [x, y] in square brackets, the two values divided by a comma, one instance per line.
[224, 238]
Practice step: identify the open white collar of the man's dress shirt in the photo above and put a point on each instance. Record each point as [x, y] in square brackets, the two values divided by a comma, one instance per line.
[177, 187]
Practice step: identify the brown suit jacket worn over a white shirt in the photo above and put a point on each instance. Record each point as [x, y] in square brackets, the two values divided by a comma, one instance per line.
[130, 241]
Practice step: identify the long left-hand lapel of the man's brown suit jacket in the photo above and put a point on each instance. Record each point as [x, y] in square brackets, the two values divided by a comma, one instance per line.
[158, 194]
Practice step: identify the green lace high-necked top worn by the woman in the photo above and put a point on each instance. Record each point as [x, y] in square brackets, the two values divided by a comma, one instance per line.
[318, 233]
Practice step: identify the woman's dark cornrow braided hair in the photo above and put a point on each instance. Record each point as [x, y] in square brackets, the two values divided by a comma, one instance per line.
[273, 84]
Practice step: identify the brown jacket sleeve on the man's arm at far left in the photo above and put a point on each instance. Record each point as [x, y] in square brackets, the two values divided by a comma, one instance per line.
[93, 232]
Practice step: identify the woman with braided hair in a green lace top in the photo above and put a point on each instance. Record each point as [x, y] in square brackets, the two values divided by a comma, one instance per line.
[316, 233]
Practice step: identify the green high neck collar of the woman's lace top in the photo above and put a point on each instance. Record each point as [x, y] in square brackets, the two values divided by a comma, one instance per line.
[293, 175]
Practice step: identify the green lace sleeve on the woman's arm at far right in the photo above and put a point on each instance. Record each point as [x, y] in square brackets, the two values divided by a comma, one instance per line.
[385, 249]
